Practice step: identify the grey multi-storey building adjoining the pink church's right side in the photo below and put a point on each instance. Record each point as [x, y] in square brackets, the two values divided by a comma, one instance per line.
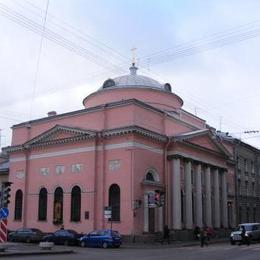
[247, 179]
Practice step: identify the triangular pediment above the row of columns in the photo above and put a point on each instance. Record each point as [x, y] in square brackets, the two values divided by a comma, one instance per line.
[202, 139]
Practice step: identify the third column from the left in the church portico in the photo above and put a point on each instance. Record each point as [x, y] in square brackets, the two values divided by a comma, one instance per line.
[198, 205]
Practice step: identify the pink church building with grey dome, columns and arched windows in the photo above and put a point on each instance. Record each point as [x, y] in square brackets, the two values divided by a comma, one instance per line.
[130, 146]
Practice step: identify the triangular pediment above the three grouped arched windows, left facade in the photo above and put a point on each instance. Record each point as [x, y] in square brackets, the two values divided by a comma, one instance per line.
[59, 133]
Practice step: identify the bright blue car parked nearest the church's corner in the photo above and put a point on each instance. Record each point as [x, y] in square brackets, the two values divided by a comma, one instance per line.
[101, 238]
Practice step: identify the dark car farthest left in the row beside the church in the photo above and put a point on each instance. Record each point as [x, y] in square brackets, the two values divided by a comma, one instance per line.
[26, 235]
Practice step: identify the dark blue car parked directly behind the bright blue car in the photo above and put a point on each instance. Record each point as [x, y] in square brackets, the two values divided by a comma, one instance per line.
[63, 237]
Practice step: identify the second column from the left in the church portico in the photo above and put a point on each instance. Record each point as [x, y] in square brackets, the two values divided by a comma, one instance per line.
[188, 195]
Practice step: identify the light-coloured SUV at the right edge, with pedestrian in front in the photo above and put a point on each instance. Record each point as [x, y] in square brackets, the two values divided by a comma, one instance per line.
[252, 232]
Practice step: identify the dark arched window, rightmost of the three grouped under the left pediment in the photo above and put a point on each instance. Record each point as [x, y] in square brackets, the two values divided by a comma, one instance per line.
[75, 204]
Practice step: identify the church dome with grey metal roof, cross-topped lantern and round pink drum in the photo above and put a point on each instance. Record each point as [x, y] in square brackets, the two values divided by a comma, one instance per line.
[133, 86]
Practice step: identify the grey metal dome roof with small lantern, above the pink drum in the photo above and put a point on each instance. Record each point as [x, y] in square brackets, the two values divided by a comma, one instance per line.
[136, 81]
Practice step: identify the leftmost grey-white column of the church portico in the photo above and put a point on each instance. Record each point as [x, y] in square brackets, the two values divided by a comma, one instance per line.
[176, 194]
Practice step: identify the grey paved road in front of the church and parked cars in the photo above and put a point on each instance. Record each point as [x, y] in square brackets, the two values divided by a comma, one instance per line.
[212, 252]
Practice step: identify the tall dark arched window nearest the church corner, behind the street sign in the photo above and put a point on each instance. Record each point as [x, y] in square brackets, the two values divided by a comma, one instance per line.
[114, 201]
